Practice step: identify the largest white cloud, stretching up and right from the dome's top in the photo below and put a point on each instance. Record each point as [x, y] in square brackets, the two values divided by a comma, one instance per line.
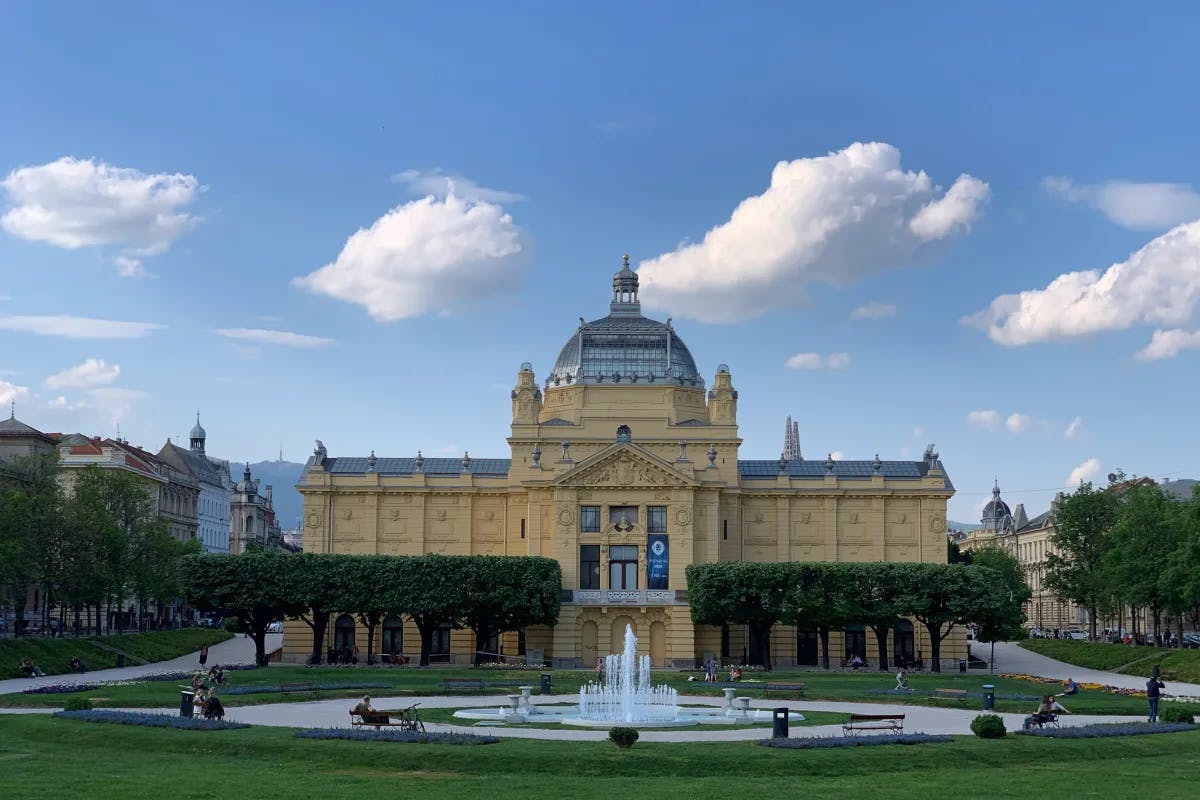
[832, 220]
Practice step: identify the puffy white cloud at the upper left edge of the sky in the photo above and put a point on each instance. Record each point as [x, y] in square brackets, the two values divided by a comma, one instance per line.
[75, 203]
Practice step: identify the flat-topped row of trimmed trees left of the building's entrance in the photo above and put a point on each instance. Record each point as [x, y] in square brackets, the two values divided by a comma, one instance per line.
[487, 594]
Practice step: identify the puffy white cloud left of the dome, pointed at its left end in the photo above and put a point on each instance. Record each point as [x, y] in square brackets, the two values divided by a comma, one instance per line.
[425, 256]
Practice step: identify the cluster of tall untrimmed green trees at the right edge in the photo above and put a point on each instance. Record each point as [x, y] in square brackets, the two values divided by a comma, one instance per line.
[1129, 551]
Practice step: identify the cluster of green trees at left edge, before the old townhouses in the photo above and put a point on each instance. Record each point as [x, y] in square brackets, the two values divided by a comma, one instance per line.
[86, 550]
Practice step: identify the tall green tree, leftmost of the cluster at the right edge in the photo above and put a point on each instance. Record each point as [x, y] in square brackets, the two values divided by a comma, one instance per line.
[1077, 572]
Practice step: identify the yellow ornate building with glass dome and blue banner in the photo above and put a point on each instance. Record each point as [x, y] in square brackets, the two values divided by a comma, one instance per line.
[625, 468]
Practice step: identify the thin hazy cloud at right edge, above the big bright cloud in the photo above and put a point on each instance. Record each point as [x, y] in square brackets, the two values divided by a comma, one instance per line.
[1141, 207]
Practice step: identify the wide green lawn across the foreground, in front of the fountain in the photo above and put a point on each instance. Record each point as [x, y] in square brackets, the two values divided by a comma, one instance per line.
[44, 759]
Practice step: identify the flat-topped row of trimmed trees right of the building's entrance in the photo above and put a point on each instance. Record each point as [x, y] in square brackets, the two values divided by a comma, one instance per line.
[825, 598]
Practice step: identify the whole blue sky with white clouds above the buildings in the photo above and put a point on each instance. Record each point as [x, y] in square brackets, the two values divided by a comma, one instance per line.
[901, 225]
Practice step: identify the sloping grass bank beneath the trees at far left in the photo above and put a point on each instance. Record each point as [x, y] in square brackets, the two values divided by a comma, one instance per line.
[53, 655]
